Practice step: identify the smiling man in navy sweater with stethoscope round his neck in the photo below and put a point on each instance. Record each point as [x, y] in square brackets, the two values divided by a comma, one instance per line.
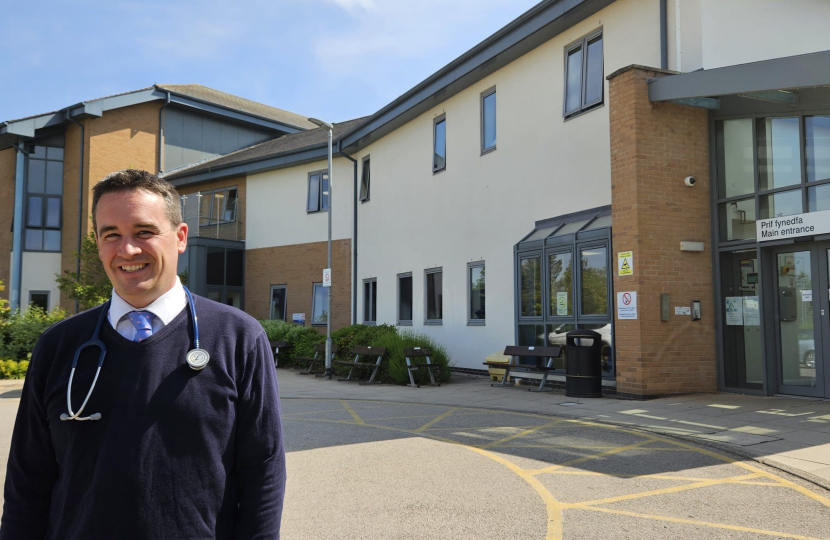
[154, 445]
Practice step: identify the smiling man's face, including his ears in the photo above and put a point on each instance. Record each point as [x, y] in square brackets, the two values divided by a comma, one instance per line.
[138, 245]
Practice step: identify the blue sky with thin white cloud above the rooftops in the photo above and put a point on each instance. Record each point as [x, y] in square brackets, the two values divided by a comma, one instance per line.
[333, 59]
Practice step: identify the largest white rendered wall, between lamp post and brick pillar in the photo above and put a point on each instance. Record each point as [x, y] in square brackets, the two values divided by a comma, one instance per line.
[481, 206]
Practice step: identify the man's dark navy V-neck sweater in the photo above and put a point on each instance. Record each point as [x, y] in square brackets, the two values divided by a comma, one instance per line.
[177, 454]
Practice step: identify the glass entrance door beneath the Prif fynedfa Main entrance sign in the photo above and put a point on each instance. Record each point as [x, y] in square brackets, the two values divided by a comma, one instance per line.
[802, 318]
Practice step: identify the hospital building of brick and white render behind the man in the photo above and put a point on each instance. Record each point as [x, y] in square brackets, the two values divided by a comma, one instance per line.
[655, 170]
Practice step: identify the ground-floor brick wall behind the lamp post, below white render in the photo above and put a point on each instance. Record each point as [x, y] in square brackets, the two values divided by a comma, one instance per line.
[299, 267]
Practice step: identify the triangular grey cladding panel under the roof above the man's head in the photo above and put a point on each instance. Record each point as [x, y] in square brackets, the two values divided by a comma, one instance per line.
[191, 137]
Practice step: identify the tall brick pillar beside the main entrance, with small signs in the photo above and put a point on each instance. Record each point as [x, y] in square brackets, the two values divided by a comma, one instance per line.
[654, 146]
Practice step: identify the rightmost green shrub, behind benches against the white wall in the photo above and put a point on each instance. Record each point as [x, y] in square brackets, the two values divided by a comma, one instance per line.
[394, 369]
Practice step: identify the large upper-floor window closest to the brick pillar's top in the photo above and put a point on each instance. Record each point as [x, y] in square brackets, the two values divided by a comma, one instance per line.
[584, 84]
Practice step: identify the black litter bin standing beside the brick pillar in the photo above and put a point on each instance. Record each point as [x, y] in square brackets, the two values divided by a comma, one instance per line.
[583, 370]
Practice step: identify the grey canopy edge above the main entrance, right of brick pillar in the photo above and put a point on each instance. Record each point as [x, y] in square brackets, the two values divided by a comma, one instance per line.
[786, 73]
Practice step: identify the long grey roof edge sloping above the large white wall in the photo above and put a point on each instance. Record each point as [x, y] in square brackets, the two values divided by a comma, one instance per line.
[531, 29]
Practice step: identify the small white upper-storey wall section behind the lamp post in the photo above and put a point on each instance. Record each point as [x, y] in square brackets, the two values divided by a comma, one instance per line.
[277, 200]
